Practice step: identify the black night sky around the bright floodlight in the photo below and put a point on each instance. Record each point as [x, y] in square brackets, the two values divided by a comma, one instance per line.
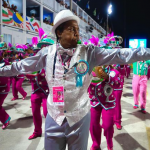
[129, 19]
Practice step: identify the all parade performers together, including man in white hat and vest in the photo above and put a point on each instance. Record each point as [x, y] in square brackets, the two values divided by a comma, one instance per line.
[73, 83]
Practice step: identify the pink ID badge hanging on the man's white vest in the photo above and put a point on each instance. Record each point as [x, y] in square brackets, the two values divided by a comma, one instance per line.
[58, 95]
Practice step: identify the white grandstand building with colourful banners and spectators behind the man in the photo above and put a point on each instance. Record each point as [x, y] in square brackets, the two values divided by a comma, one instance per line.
[20, 24]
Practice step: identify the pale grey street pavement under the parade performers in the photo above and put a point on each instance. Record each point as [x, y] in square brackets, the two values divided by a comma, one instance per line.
[135, 134]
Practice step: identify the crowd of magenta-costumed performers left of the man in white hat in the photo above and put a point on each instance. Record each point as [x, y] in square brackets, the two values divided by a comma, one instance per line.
[10, 54]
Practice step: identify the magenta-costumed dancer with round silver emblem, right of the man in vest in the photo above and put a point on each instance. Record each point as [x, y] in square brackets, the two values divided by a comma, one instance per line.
[103, 102]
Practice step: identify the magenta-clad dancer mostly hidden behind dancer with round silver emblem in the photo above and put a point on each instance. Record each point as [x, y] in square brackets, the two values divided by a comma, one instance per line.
[118, 93]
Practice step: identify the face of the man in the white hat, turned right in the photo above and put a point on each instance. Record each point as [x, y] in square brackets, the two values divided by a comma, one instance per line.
[70, 35]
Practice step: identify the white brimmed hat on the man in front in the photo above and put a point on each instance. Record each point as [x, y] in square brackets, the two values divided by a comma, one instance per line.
[63, 16]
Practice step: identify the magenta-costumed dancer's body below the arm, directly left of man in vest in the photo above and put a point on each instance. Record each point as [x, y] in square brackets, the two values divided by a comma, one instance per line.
[38, 96]
